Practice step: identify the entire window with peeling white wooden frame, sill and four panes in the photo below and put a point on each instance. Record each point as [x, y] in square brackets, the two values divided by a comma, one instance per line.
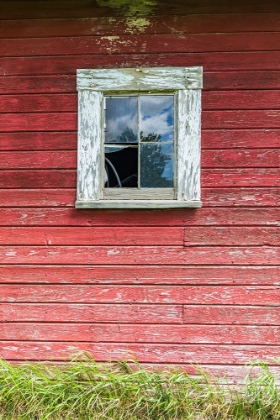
[139, 137]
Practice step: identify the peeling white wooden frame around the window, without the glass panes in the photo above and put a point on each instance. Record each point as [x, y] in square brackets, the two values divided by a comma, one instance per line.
[92, 85]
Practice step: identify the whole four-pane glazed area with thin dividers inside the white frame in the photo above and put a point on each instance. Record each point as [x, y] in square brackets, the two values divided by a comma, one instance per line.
[139, 141]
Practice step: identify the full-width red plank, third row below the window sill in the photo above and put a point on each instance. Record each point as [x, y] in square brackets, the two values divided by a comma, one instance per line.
[139, 255]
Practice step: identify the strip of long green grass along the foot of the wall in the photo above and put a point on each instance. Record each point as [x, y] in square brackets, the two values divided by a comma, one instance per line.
[85, 390]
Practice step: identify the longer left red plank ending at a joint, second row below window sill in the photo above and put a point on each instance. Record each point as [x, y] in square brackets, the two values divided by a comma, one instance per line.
[94, 236]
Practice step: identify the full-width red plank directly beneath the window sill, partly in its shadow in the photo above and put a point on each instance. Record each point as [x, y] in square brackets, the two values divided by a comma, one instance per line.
[205, 216]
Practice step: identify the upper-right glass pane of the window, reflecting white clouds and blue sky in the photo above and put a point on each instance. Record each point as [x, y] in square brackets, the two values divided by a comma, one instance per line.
[156, 118]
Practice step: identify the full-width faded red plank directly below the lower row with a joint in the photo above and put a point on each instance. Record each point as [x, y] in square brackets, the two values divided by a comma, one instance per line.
[129, 333]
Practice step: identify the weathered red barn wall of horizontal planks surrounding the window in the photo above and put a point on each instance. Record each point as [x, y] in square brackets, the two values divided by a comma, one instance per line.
[166, 287]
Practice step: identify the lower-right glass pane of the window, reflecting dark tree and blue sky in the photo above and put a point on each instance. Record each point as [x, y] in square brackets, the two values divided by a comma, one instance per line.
[157, 165]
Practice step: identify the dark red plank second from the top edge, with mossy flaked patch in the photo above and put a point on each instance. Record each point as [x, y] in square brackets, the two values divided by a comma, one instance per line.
[251, 22]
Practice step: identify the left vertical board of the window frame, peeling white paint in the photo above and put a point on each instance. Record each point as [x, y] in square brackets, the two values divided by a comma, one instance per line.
[89, 145]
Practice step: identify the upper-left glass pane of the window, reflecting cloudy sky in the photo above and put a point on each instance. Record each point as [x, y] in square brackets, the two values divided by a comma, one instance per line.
[121, 120]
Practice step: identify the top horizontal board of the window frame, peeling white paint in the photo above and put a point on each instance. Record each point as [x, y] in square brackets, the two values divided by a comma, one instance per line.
[140, 79]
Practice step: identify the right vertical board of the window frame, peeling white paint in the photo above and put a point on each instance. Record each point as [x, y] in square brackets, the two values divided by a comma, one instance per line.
[189, 128]
